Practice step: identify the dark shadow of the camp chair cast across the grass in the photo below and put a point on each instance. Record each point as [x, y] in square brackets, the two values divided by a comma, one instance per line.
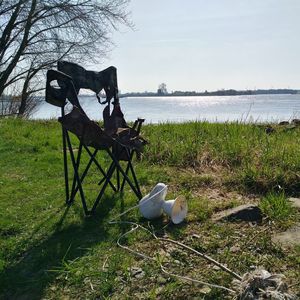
[30, 275]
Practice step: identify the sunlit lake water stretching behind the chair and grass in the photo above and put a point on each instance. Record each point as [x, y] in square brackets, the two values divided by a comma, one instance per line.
[253, 108]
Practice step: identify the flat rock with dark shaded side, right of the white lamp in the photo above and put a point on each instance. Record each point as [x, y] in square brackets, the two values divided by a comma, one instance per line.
[246, 212]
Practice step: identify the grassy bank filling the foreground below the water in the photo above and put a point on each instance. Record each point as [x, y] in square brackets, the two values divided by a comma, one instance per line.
[49, 250]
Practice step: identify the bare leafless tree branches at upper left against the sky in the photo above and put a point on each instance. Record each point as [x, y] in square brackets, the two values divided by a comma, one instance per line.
[35, 34]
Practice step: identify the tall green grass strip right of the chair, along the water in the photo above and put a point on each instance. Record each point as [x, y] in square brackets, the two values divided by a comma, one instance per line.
[260, 162]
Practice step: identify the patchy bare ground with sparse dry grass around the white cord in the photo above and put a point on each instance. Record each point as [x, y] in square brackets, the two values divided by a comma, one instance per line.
[241, 246]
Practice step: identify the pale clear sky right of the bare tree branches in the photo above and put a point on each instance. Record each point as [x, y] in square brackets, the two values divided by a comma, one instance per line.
[209, 44]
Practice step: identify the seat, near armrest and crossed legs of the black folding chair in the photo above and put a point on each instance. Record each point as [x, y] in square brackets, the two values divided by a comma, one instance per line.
[119, 144]
